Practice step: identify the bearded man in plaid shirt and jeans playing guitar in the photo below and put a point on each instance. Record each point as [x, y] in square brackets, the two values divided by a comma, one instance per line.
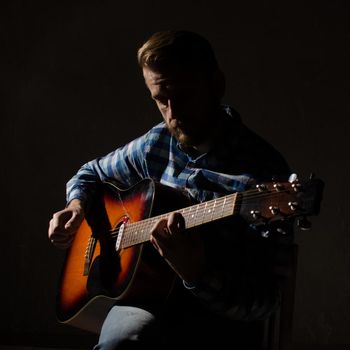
[227, 271]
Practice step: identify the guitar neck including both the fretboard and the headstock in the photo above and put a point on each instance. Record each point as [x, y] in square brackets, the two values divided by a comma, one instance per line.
[267, 203]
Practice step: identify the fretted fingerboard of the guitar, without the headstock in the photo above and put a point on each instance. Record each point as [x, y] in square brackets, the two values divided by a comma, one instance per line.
[195, 215]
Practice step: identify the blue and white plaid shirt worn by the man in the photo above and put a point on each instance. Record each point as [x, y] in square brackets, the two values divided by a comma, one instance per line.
[239, 158]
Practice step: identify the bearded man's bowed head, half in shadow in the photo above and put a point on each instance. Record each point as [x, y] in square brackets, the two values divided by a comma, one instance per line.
[183, 76]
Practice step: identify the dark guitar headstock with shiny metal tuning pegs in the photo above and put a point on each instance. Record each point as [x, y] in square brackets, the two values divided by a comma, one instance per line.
[272, 203]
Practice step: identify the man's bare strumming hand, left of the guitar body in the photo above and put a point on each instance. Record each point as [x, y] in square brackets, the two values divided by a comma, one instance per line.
[65, 223]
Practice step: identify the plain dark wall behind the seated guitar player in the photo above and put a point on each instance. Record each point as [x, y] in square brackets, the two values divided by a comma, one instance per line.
[71, 91]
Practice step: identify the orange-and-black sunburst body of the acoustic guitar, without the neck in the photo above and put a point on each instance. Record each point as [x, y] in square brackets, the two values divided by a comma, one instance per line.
[137, 275]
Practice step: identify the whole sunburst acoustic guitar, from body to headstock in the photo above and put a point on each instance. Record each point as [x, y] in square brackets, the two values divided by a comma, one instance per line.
[111, 260]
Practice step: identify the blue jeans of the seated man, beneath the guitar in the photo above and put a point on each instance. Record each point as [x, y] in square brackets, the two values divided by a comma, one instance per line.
[128, 327]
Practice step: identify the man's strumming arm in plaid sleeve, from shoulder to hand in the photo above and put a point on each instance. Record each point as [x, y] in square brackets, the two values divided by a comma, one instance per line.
[123, 165]
